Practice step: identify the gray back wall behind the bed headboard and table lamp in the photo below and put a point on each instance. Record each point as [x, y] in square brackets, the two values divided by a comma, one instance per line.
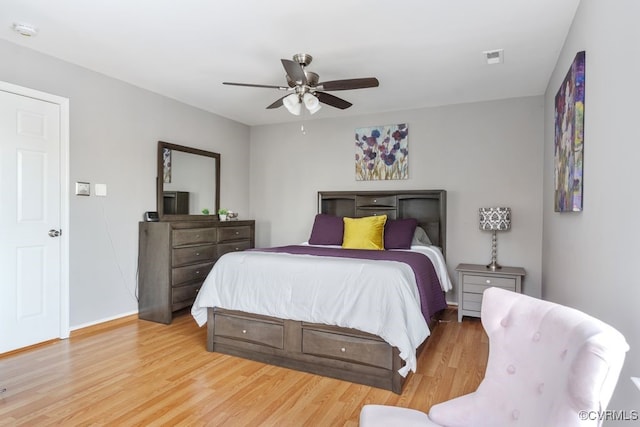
[483, 154]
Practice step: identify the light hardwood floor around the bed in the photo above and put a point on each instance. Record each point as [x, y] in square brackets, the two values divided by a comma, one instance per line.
[133, 372]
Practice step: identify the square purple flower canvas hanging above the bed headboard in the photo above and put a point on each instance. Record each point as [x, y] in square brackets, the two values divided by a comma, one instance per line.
[382, 152]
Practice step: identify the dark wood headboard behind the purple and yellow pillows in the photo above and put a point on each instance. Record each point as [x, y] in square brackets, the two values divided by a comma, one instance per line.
[429, 207]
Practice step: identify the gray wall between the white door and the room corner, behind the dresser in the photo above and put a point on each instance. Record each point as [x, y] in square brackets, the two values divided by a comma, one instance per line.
[114, 129]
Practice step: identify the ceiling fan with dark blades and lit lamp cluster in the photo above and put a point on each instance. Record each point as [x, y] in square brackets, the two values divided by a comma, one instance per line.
[304, 87]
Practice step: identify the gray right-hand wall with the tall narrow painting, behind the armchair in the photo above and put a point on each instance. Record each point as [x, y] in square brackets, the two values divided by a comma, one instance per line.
[588, 257]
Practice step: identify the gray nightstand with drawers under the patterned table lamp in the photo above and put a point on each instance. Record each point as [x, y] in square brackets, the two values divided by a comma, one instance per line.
[473, 279]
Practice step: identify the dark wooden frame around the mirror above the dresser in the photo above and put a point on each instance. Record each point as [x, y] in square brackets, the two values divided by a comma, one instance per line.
[160, 182]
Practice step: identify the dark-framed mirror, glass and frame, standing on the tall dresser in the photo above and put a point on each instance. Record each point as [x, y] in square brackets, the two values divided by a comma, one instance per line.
[188, 182]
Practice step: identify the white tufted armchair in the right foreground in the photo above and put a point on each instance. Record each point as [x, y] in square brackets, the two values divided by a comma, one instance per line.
[547, 363]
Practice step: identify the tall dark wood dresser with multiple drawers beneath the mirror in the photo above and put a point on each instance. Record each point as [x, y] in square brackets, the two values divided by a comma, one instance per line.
[174, 258]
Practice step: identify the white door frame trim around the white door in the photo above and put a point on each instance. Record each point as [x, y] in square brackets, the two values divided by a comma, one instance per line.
[63, 103]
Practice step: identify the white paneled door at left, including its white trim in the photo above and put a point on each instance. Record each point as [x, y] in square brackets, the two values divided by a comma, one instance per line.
[33, 302]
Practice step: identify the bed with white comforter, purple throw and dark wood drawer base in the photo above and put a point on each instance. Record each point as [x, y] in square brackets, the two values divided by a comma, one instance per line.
[357, 315]
